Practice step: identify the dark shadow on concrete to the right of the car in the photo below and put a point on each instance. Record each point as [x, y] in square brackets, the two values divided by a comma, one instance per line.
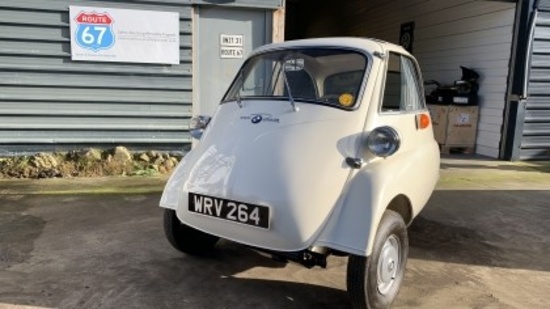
[484, 227]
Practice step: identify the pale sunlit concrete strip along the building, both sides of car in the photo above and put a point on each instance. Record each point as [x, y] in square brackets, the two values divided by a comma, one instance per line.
[457, 172]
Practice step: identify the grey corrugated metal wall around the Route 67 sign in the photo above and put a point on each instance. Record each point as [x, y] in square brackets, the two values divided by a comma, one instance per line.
[48, 102]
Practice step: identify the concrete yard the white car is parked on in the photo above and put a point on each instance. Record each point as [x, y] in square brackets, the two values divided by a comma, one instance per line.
[483, 241]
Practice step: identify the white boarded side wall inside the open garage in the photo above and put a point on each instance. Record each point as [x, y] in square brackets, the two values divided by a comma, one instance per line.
[448, 34]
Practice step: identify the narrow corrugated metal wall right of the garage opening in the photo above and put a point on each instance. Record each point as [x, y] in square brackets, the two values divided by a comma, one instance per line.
[535, 142]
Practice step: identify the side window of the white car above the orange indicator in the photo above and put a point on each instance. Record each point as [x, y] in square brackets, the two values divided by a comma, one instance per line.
[402, 91]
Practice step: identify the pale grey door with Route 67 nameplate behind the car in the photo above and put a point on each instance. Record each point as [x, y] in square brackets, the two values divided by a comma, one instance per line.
[224, 37]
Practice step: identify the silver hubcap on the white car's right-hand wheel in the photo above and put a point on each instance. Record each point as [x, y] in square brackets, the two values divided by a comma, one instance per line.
[388, 265]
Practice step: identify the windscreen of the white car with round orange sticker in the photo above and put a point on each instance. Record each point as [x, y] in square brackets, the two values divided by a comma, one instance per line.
[327, 76]
